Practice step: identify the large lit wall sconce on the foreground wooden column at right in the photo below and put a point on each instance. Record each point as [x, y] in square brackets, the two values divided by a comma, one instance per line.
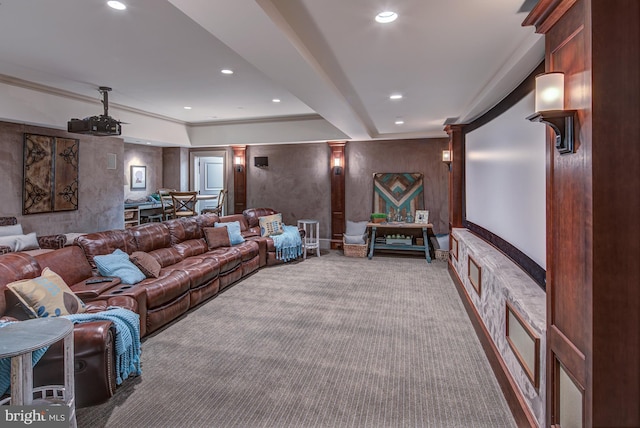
[550, 110]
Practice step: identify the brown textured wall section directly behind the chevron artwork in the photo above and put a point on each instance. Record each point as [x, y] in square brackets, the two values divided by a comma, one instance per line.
[364, 158]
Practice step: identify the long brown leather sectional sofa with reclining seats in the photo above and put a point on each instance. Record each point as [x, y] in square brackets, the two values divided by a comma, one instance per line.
[192, 271]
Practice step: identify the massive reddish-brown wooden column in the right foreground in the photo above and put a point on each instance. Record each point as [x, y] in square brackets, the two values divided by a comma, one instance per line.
[593, 207]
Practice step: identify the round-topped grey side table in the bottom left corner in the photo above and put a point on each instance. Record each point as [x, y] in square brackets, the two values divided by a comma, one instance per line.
[18, 341]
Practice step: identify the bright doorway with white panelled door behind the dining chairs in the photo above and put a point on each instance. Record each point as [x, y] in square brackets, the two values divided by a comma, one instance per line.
[208, 176]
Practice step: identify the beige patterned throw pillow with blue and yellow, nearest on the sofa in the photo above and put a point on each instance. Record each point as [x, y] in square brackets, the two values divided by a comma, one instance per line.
[46, 295]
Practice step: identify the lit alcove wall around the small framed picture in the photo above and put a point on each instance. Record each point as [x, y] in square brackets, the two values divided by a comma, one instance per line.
[139, 155]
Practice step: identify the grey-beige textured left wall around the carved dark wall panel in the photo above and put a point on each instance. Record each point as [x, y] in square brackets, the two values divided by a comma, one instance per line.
[100, 196]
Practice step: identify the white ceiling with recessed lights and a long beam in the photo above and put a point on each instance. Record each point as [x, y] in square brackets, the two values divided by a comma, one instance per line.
[325, 59]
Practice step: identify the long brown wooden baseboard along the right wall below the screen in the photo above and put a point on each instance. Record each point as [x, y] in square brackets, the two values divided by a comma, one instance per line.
[515, 400]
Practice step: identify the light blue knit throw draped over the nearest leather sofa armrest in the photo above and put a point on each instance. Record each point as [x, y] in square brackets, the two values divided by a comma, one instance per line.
[128, 349]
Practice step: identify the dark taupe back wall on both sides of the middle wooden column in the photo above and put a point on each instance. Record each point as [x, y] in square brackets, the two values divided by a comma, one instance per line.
[297, 181]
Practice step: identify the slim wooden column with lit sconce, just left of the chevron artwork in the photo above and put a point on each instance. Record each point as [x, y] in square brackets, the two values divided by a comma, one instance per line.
[337, 192]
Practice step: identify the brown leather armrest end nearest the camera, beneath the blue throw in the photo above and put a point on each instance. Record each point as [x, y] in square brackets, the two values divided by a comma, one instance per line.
[94, 363]
